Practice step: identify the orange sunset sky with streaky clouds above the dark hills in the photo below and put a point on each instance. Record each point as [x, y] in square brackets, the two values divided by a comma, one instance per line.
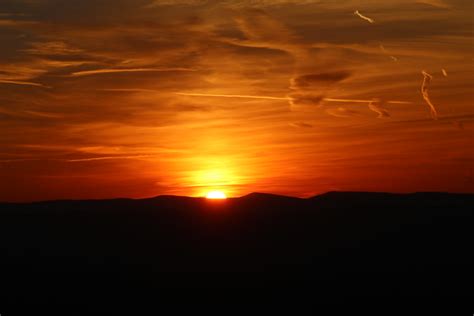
[137, 98]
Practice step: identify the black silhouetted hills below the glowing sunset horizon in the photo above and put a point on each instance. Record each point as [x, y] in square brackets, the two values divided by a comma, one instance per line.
[261, 251]
